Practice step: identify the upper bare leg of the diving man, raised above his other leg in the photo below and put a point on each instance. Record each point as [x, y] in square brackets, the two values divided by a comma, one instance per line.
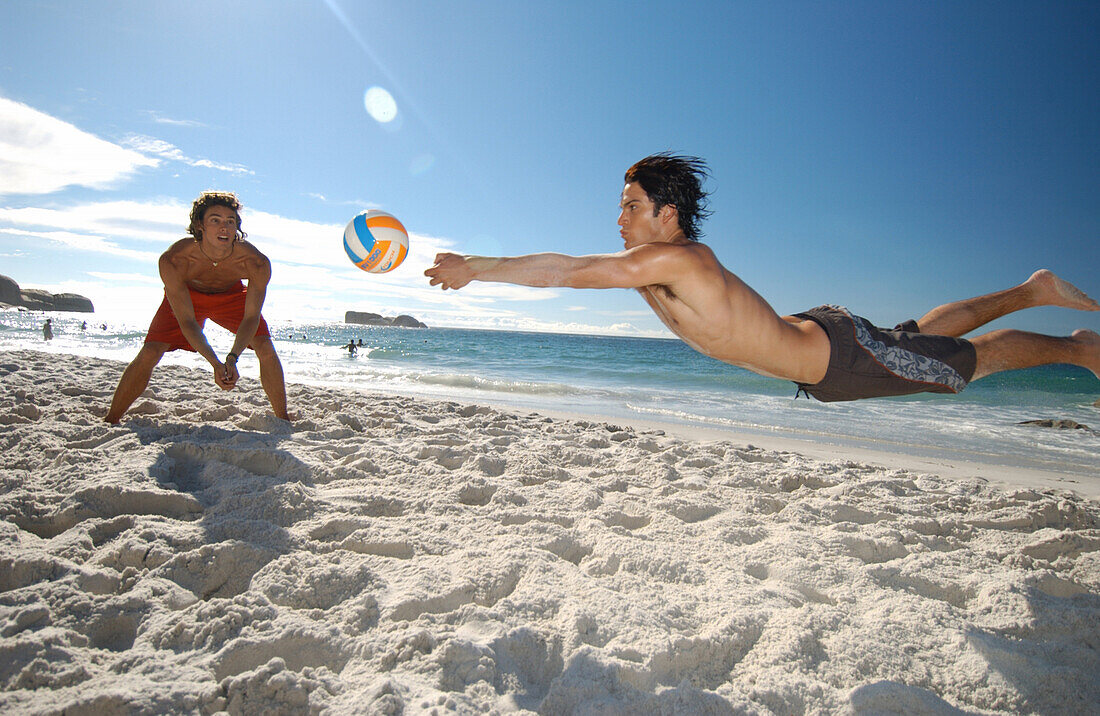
[1043, 289]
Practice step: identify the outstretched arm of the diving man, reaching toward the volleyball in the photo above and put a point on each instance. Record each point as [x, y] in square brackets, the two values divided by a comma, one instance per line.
[632, 269]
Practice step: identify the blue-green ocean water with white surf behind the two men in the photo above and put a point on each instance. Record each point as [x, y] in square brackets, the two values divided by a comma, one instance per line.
[633, 378]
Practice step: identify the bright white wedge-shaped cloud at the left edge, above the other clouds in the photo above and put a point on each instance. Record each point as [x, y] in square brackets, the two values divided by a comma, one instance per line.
[41, 155]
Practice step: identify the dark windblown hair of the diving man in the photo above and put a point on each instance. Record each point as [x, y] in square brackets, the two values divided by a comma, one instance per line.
[678, 181]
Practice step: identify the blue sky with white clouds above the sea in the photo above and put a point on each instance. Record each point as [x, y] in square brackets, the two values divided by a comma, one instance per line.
[888, 157]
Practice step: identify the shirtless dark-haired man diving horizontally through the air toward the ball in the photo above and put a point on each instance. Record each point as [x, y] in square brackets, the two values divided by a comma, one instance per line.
[829, 353]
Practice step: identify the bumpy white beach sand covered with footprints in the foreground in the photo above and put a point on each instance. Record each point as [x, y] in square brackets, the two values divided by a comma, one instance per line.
[386, 555]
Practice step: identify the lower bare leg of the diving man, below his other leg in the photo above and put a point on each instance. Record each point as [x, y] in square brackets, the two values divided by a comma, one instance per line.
[1008, 350]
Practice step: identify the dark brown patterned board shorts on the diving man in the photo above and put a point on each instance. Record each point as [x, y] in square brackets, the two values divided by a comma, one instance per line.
[870, 362]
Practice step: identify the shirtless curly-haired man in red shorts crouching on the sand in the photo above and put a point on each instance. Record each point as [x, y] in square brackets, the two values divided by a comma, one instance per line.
[203, 279]
